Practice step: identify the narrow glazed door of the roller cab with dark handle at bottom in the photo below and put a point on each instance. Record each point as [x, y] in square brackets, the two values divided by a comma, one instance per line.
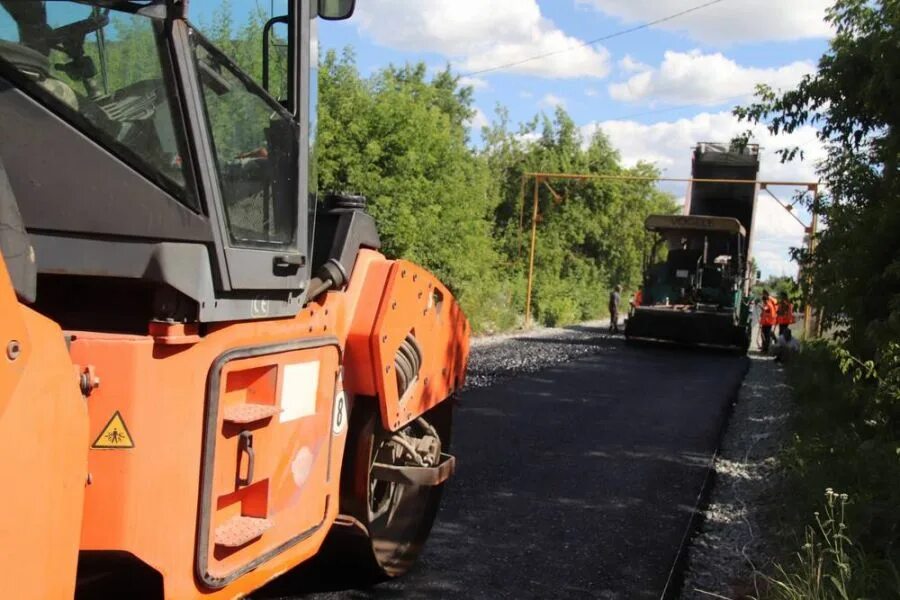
[250, 164]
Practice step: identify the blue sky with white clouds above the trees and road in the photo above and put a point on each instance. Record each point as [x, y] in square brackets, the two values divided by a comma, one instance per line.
[654, 92]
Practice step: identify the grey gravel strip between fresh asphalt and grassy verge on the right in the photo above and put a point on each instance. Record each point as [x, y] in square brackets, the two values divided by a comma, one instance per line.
[731, 544]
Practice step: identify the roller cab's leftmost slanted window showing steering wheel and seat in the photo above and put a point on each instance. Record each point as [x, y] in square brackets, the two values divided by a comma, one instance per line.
[104, 71]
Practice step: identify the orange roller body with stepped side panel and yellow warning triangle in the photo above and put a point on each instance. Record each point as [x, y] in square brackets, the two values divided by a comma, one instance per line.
[216, 459]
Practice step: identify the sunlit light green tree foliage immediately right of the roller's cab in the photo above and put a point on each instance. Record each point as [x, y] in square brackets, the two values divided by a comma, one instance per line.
[401, 139]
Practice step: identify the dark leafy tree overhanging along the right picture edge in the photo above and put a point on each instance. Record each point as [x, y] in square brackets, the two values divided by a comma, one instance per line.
[852, 99]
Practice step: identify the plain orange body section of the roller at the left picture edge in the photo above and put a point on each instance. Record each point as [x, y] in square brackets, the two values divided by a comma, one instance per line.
[43, 440]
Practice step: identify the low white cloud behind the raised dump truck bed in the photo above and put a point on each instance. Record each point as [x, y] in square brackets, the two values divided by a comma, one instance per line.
[668, 145]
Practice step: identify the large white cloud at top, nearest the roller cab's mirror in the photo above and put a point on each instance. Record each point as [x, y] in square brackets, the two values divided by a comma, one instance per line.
[480, 35]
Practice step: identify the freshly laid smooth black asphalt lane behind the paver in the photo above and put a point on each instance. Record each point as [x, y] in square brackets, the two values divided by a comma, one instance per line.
[577, 481]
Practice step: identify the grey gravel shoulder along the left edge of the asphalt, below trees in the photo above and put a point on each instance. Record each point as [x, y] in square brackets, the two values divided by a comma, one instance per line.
[497, 357]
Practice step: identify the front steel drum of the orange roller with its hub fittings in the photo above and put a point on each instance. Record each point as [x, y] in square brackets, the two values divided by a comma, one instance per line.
[394, 519]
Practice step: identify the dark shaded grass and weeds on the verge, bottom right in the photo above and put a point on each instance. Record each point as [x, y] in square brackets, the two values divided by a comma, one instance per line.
[845, 438]
